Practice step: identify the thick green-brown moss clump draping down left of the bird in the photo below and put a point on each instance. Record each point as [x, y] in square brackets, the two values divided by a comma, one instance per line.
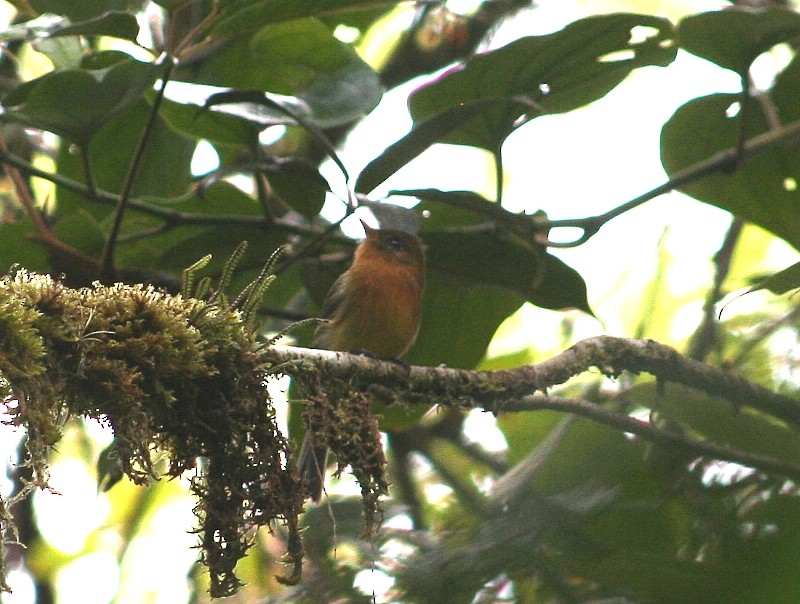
[175, 374]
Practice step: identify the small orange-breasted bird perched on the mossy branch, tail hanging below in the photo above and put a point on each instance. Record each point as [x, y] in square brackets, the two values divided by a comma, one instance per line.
[373, 307]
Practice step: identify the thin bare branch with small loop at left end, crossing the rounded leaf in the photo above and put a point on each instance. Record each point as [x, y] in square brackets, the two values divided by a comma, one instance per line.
[722, 161]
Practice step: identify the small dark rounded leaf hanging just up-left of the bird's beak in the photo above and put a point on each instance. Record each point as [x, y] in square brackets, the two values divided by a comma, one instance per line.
[299, 184]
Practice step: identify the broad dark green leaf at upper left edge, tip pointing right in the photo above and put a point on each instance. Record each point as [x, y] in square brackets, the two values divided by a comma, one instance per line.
[77, 103]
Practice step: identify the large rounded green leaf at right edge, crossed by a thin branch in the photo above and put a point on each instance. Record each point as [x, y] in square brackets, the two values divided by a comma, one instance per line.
[760, 188]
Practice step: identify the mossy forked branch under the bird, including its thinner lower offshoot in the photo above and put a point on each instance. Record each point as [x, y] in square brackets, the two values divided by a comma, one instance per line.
[514, 389]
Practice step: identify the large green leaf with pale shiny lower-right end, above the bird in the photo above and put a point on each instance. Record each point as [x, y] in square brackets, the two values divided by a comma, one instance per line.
[302, 59]
